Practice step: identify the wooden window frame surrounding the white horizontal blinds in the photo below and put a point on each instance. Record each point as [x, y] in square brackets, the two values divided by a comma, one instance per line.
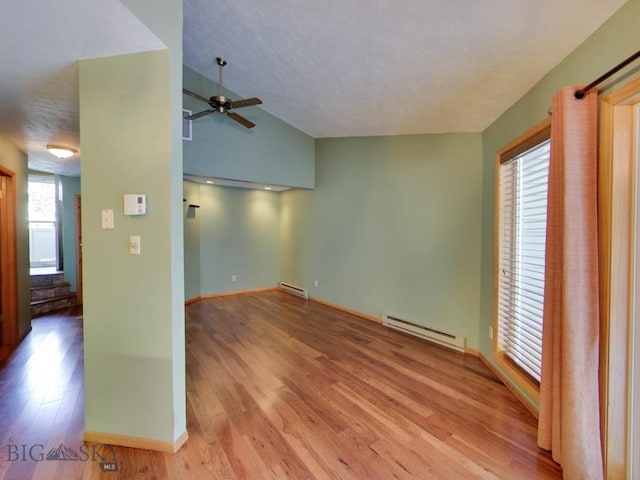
[524, 142]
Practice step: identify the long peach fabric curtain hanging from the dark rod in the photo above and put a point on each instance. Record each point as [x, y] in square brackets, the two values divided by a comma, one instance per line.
[569, 420]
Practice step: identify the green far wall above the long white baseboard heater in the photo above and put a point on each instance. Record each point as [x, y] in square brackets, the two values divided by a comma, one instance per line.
[392, 226]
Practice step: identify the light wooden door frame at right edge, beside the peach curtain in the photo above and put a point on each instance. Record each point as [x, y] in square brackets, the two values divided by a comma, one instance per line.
[617, 175]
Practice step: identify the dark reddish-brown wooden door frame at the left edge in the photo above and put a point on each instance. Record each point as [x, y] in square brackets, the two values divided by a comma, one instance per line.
[9, 266]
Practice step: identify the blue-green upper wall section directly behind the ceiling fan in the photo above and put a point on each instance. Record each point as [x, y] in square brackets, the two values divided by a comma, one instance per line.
[273, 152]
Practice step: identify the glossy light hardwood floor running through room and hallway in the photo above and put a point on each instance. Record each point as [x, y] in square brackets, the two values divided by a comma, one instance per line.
[278, 387]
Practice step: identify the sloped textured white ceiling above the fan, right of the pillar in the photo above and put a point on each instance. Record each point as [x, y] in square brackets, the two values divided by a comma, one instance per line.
[386, 67]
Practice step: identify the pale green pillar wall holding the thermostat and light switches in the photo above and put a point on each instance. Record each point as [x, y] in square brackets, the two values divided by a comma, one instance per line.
[130, 135]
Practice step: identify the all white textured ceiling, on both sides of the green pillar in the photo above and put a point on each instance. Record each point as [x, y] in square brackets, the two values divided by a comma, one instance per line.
[329, 68]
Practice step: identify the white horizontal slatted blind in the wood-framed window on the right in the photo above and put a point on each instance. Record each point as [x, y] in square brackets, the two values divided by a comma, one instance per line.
[523, 217]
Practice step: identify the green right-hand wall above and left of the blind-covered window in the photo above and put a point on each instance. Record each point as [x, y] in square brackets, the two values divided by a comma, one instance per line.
[616, 40]
